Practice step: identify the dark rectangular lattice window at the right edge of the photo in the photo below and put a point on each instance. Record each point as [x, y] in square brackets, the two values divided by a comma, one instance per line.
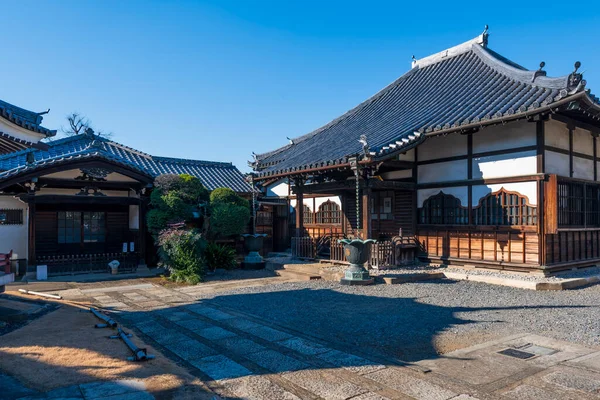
[578, 204]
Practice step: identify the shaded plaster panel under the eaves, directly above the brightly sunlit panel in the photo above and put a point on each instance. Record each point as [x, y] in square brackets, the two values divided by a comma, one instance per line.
[502, 137]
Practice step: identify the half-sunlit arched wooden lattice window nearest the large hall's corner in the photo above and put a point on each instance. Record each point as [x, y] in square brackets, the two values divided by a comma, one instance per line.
[505, 208]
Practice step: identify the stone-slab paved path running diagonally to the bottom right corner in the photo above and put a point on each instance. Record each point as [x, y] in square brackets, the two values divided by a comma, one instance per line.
[243, 357]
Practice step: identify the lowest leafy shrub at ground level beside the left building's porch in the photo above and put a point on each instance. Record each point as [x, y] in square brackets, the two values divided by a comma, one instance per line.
[181, 251]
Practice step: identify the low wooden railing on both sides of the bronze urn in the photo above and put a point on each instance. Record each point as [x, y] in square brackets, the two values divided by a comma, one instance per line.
[384, 253]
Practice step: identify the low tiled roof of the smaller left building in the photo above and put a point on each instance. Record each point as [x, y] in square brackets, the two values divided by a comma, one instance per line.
[212, 174]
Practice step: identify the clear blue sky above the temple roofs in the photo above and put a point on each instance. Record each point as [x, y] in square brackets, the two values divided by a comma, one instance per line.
[217, 80]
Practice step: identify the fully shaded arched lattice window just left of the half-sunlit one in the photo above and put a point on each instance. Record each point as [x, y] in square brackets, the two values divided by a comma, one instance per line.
[443, 209]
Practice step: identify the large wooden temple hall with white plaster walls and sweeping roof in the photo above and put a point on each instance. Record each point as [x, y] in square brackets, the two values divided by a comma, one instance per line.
[468, 158]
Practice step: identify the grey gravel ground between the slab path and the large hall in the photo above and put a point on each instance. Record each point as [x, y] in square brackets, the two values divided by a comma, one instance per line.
[420, 320]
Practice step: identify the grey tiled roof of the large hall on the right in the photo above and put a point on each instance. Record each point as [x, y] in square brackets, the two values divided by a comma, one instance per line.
[465, 86]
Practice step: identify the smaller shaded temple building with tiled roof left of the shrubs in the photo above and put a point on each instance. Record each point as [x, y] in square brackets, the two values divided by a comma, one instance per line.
[81, 202]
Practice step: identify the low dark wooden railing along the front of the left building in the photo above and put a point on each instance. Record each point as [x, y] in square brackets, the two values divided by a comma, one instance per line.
[69, 264]
